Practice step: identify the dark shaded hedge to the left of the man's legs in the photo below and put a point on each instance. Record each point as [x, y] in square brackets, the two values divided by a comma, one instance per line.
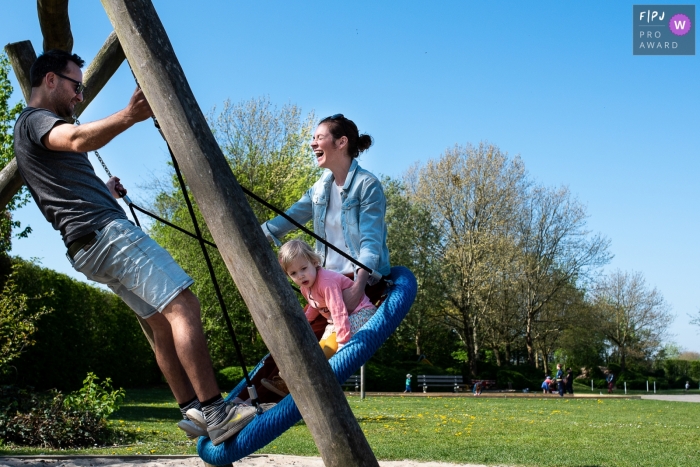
[89, 330]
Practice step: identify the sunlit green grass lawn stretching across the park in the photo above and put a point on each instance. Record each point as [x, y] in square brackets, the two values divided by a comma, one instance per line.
[542, 432]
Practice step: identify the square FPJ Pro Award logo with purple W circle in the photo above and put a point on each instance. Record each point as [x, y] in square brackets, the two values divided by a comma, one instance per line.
[663, 29]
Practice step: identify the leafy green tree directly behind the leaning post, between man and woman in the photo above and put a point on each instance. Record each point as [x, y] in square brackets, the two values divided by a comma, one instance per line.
[267, 150]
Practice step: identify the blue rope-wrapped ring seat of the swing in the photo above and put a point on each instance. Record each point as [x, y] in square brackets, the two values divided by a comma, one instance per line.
[268, 426]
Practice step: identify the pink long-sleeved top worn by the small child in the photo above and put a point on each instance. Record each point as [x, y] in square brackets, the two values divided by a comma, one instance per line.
[325, 297]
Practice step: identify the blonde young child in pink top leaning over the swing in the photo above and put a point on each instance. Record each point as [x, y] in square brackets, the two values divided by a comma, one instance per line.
[323, 289]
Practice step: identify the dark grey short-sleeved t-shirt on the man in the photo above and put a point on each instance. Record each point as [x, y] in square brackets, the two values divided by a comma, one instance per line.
[63, 184]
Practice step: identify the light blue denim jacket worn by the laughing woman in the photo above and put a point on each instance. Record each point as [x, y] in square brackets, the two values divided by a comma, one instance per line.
[362, 217]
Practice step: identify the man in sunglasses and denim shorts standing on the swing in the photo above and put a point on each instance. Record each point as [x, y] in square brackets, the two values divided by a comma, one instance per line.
[105, 246]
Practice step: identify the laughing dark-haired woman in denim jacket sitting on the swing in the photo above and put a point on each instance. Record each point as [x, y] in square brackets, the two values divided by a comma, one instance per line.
[347, 205]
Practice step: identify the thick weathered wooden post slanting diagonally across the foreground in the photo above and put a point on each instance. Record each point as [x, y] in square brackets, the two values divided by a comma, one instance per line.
[243, 247]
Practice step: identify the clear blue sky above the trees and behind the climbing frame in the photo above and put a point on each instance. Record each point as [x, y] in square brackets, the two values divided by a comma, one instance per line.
[553, 82]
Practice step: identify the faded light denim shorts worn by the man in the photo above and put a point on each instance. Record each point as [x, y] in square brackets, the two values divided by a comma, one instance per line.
[134, 266]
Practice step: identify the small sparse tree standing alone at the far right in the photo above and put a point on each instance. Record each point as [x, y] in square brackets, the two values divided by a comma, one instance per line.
[633, 317]
